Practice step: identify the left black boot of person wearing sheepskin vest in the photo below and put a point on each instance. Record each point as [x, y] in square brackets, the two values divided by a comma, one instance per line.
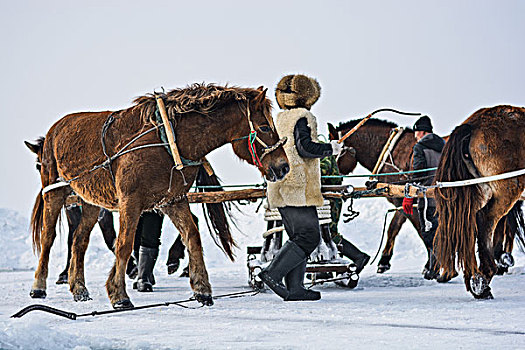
[288, 257]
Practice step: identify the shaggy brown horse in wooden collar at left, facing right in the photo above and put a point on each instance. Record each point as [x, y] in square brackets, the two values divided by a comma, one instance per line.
[101, 157]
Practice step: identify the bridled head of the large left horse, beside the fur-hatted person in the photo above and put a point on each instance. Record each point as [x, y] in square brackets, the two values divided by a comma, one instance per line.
[259, 142]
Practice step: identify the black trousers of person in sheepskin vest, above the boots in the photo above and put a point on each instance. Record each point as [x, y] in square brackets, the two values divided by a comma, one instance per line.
[302, 226]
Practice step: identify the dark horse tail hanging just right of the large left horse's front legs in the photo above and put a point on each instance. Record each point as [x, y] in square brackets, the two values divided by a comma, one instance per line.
[216, 214]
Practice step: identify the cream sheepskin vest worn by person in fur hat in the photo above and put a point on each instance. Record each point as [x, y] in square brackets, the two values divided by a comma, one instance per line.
[302, 185]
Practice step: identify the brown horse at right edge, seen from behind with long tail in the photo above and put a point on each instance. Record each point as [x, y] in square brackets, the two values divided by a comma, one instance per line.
[489, 142]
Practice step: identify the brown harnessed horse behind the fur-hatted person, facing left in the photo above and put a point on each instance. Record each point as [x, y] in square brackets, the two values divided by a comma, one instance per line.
[368, 141]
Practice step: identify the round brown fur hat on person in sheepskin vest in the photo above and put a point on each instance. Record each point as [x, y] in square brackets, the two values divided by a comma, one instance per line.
[297, 90]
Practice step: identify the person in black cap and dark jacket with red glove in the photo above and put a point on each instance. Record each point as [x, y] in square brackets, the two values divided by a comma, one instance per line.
[427, 152]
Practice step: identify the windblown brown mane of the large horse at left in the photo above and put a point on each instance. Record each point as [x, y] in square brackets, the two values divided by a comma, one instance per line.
[198, 98]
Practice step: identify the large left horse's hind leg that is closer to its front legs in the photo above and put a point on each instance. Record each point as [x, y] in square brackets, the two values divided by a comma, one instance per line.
[77, 284]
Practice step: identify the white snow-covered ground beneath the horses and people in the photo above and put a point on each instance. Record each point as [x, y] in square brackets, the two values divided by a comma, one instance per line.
[398, 309]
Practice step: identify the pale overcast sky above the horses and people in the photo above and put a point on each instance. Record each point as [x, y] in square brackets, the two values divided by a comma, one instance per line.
[442, 58]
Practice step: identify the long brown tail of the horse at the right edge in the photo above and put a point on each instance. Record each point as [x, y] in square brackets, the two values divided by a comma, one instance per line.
[457, 206]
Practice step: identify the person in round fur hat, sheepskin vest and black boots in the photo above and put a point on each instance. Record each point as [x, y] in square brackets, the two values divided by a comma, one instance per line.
[299, 193]
